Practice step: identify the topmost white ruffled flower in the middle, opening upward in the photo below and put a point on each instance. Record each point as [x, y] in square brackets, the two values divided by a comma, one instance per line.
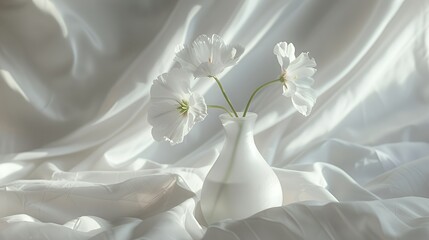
[208, 56]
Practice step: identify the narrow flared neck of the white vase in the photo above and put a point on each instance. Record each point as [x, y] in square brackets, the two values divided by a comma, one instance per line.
[241, 127]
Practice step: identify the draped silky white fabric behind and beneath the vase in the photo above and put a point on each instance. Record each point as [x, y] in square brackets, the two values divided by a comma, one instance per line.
[78, 161]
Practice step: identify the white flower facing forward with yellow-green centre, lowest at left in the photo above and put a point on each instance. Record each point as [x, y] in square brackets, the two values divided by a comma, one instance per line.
[173, 107]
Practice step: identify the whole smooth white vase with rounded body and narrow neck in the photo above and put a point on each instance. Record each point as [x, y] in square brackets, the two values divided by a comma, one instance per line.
[240, 183]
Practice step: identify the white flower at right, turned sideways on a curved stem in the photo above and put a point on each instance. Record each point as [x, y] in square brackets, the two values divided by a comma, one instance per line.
[297, 76]
